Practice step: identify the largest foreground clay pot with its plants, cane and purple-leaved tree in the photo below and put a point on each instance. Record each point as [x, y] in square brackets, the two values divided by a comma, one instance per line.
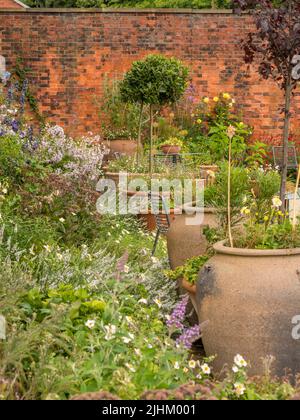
[250, 290]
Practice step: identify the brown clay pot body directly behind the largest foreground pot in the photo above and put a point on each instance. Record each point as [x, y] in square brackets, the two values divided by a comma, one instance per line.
[186, 241]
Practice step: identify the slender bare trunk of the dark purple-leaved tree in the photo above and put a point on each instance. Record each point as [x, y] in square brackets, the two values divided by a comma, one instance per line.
[286, 131]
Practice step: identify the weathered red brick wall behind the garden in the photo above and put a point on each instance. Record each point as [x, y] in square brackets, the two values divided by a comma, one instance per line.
[71, 52]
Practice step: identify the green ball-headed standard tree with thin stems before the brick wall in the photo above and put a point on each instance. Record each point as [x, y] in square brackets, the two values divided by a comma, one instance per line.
[155, 81]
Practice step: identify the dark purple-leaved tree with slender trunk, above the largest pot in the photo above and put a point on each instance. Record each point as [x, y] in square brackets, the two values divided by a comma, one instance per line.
[276, 46]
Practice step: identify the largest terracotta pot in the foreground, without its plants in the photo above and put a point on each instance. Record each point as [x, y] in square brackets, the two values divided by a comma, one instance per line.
[249, 298]
